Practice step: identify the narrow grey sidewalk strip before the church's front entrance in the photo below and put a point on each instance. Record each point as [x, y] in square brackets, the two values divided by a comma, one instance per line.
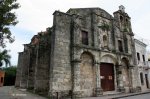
[116, 96]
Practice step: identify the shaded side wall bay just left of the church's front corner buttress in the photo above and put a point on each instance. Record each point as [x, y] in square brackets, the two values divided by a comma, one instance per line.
[41, 84]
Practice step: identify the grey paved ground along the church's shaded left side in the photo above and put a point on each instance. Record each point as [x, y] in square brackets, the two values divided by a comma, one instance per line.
[9, 92]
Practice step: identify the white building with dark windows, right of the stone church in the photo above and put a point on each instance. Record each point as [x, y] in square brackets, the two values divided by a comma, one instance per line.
[143, 64]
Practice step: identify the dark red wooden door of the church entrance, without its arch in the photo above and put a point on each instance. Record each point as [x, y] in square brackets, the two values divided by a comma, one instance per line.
[107, 76]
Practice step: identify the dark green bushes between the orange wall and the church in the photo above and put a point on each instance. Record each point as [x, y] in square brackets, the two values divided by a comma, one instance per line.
[10, 75]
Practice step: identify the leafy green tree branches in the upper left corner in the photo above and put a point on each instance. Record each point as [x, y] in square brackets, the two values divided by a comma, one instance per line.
[7, 19]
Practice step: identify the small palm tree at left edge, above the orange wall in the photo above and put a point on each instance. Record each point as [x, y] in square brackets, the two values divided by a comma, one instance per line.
[4, 57]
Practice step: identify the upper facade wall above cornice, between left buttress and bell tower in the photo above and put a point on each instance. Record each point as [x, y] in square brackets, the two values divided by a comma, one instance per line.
[90, 20]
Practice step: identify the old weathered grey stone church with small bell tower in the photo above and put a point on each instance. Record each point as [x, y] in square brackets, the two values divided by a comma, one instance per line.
[87, 52]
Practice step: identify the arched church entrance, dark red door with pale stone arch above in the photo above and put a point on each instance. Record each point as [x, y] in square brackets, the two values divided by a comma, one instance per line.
[107, 73]
